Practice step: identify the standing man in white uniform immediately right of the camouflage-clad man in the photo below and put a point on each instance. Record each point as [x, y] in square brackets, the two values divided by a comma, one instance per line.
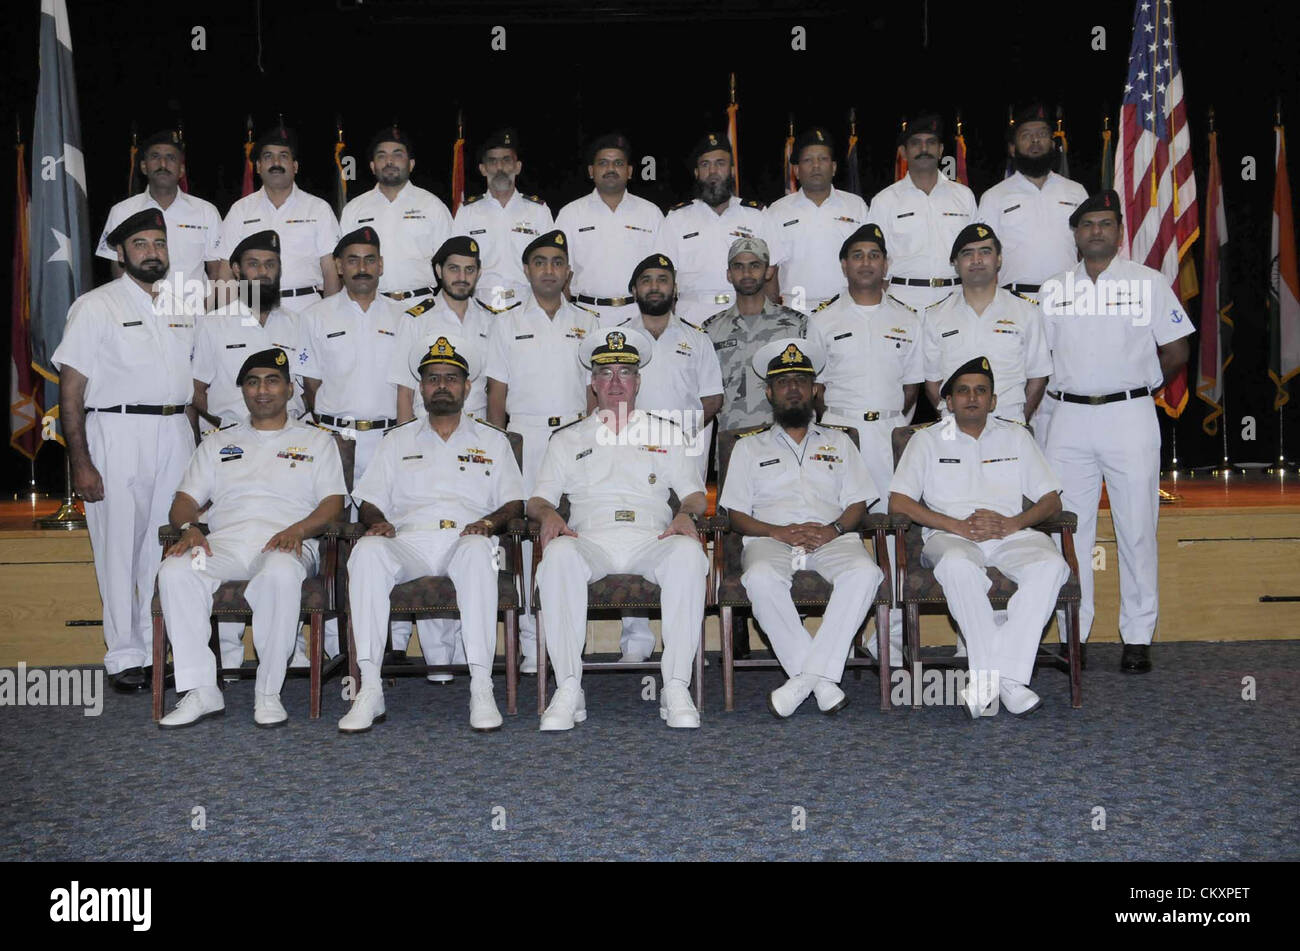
[873, 376]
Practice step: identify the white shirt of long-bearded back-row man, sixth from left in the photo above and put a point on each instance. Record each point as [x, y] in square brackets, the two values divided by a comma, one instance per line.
[697, 240]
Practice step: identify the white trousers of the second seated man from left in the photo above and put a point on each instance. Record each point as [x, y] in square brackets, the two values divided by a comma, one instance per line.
[378, 564]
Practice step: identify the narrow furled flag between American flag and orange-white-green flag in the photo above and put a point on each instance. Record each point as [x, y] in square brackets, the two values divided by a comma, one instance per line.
[1216, 302]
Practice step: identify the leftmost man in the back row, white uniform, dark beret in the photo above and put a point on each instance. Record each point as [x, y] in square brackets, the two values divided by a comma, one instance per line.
[194, 225]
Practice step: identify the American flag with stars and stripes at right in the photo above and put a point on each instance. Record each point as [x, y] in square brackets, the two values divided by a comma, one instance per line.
[1154, 162]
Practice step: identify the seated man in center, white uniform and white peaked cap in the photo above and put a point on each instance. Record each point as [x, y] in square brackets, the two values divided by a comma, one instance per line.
[617, 468]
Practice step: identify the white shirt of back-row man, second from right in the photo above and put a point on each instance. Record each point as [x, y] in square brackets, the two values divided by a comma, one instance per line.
[920, 229]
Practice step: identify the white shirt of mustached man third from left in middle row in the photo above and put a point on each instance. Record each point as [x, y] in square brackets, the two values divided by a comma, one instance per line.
[352, 353]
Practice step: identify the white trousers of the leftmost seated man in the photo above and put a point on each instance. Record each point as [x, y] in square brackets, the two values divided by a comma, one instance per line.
[188, 585]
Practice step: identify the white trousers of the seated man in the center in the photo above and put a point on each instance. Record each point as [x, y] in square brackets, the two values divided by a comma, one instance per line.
[677, 564]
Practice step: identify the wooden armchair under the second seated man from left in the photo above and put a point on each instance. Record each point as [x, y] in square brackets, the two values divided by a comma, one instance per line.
[436, 597]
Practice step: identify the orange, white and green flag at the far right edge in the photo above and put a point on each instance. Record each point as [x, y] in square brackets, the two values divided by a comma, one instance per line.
[1284, 285]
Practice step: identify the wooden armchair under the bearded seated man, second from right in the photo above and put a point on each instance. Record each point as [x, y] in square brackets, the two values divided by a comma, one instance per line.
[809, 590]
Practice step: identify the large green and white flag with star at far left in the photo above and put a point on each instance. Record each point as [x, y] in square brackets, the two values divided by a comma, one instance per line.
[60, 242]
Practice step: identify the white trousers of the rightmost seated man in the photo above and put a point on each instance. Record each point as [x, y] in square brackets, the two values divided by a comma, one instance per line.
[1028, 558]
